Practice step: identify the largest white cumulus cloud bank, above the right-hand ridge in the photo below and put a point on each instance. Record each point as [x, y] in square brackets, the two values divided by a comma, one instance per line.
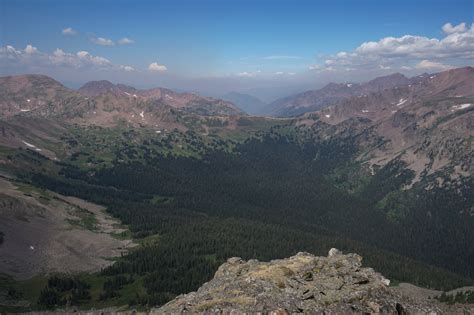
[409, 51]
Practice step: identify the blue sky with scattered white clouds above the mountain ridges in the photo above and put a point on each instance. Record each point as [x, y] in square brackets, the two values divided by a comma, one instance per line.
[219, 46]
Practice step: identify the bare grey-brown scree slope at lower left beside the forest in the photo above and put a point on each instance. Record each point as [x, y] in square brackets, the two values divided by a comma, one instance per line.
[44, 232]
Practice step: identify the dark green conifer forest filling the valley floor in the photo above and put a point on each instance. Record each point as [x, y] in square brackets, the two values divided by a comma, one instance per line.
[270, 197]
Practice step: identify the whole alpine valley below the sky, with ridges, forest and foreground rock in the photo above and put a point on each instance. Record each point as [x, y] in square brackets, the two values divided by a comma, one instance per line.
[118, 198]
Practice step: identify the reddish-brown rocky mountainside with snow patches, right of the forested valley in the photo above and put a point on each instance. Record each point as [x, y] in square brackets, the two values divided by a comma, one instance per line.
[427, 124]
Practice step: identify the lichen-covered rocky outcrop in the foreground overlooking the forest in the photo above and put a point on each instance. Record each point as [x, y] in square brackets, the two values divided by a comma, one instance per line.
[304, 283]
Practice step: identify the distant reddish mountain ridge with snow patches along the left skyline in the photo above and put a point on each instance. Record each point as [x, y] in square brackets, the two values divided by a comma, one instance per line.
[102, 103]
